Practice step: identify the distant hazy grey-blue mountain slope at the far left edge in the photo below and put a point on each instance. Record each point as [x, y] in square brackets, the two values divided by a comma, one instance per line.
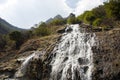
[6, 27]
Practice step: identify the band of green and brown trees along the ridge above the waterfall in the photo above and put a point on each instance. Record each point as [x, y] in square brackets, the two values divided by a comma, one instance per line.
[104, 16]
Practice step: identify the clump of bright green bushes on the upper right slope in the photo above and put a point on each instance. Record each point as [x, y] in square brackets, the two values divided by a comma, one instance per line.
[104, 16]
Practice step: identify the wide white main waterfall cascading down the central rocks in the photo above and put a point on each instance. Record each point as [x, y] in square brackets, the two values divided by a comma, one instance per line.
[72, 56]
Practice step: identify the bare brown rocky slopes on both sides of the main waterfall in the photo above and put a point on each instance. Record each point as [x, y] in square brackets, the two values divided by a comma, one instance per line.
[103, 58]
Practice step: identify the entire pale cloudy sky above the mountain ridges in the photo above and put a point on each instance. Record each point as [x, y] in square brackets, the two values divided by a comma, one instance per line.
[26, 13]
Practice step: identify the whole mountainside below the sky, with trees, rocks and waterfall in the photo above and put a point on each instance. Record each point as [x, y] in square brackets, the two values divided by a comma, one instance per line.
[84, 47]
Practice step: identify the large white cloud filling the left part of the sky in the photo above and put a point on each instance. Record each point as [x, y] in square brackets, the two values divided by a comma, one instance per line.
[26, 13]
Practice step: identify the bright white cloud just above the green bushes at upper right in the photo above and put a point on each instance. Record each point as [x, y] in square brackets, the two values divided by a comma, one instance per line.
[82, 5]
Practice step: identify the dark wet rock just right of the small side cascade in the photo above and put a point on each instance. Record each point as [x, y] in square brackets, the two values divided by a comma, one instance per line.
[32, 71]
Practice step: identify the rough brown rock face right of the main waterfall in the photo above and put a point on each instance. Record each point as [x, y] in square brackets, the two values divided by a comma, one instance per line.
[107, 56]
